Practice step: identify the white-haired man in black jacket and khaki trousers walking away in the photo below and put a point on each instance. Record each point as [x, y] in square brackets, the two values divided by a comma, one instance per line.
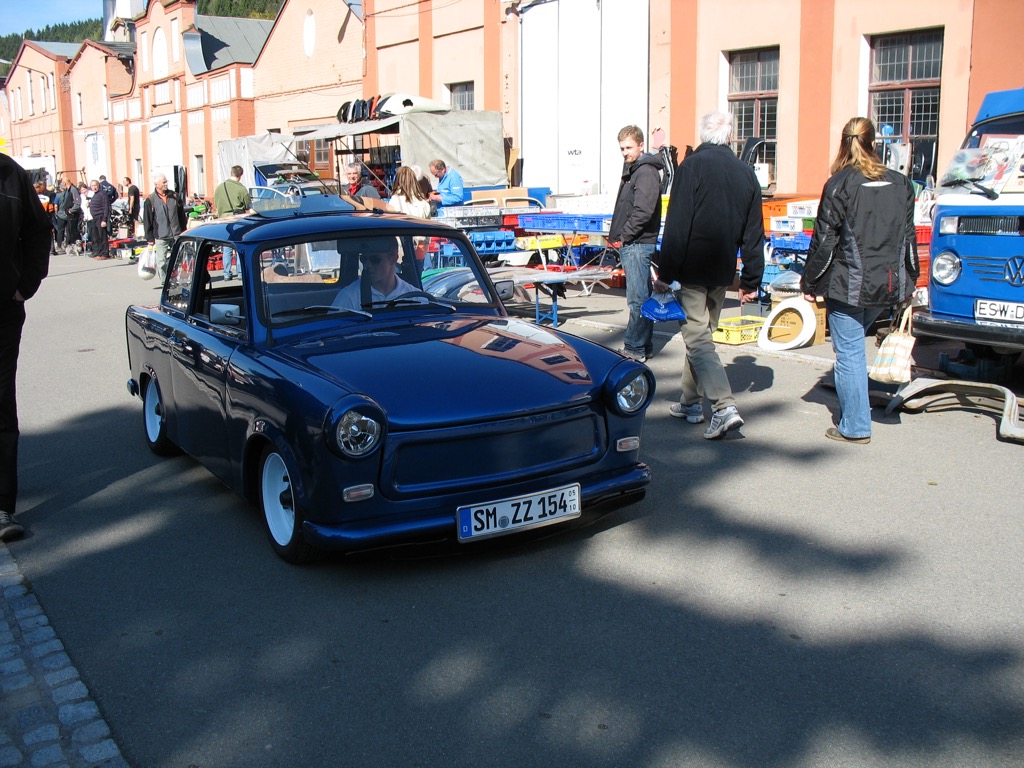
[714, 211]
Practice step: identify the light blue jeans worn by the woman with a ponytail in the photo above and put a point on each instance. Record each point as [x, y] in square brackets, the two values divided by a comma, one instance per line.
[848, 326]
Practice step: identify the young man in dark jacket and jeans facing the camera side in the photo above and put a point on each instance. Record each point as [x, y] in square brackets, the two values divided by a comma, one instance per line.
[633, 232]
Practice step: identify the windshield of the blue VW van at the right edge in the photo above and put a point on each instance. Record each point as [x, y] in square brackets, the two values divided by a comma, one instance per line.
[993, 155]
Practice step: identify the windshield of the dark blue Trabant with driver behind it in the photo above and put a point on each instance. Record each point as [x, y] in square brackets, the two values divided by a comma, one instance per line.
[358, 278]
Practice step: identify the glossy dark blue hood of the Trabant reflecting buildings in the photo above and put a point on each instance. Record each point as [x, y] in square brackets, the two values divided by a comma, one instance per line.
[454, 369]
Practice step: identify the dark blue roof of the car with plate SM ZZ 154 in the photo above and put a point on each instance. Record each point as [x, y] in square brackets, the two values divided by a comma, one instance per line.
[310, 221]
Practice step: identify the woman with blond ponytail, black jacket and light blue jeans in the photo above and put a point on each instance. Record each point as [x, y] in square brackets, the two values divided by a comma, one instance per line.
[863, 260]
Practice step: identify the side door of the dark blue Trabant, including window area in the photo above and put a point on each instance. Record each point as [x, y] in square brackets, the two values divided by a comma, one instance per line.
[201, 357]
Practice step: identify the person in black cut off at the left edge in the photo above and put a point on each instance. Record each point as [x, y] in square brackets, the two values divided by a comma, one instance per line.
[25, 231]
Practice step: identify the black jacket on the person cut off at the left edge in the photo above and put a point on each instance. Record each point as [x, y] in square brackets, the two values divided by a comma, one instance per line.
[25, 229]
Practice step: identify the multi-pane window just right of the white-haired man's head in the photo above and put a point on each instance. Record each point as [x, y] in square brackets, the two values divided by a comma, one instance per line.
[754, 103]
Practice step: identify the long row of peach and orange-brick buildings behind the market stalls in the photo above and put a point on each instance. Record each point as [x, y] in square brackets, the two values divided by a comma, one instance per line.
[566, 76]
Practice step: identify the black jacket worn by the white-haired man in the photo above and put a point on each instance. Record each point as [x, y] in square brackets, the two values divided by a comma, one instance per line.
[714, 214]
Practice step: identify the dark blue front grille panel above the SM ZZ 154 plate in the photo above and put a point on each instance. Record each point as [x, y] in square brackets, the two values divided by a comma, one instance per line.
[478, 456]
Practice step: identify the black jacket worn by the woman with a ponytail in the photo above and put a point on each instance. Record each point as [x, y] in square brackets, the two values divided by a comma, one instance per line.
[865, 248]
